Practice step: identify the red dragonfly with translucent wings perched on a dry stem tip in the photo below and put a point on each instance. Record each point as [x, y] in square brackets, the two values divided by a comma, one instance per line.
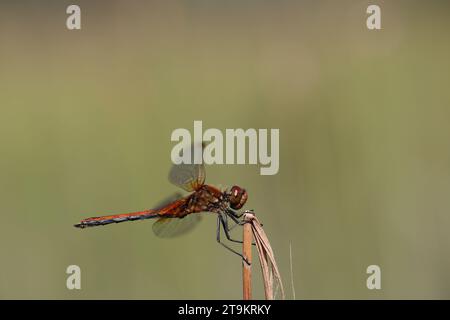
[182, 214]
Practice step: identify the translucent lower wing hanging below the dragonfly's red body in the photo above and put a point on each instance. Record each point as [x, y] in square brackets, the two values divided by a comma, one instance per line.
[173, 227]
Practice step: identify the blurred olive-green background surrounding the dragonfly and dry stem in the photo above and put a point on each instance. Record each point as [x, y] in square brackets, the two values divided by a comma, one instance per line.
[85, 125]
